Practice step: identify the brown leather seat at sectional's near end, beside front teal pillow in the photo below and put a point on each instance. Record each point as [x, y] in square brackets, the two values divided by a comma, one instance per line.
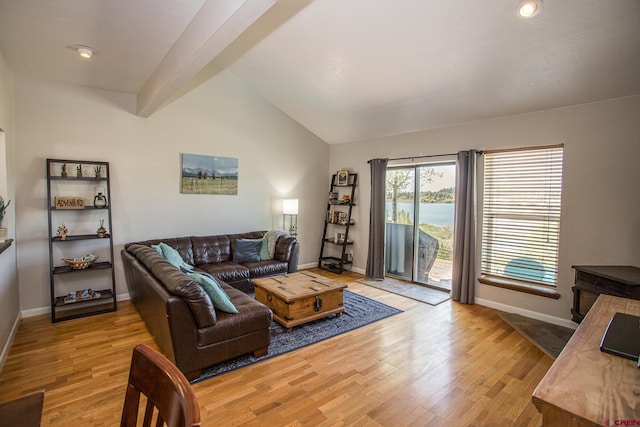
[252, 316]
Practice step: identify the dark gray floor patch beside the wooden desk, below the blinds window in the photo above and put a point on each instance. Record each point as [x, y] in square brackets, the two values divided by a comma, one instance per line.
[548, 337]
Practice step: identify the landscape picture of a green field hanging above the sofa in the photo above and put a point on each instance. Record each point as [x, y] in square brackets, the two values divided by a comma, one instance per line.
[209, 175]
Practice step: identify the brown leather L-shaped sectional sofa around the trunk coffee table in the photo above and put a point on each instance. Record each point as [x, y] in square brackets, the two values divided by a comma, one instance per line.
[179, 314]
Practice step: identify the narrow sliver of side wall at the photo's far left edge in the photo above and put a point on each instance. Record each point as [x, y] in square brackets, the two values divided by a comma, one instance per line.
[9, 292]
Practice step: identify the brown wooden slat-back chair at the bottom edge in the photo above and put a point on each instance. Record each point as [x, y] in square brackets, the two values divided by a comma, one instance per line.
[170, 399]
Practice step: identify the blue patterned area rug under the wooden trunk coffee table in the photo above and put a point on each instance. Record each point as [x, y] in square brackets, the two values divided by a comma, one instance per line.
[359, 311]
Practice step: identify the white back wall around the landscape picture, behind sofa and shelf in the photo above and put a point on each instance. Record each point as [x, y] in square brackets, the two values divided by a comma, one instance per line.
[222, 117]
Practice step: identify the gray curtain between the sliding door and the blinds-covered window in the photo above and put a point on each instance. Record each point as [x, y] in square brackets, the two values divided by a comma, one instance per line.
[465, 217]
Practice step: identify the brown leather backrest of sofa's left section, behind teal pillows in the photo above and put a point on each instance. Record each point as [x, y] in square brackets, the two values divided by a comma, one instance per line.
[177, 283]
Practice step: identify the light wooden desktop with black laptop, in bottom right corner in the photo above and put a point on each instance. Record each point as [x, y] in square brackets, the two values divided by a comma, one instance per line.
[586, 387]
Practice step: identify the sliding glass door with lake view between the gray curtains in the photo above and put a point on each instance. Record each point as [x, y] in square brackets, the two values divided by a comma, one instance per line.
[419, 223]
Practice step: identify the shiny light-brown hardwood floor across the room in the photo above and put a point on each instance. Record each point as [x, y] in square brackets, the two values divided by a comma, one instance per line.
[448, 365]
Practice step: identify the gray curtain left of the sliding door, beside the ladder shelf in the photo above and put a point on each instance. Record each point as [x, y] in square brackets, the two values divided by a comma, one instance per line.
[375, 256]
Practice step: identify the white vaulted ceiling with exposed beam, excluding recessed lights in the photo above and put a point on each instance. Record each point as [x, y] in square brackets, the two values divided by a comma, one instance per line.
[346, 70]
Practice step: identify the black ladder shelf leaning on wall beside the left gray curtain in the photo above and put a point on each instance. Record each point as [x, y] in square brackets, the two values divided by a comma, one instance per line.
[338, 221]
